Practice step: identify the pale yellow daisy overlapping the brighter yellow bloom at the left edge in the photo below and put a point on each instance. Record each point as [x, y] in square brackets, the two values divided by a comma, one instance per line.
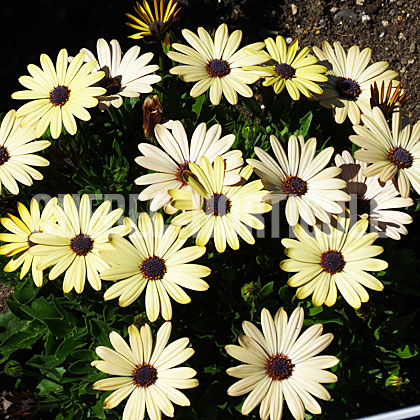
[72, 244]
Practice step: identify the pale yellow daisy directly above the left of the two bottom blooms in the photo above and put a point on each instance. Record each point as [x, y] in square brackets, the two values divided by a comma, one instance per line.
[153, 260]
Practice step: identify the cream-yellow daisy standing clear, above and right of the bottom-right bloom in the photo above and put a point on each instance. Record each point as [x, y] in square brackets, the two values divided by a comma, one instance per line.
[331, 259]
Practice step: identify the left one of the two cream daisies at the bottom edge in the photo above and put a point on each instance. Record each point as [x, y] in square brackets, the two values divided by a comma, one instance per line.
[146, 371]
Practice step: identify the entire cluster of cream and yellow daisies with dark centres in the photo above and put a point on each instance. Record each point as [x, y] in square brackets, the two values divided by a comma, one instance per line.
[207, 187]
